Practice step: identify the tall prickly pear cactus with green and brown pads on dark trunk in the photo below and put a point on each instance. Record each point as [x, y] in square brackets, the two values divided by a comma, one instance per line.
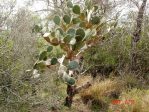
[74, 32]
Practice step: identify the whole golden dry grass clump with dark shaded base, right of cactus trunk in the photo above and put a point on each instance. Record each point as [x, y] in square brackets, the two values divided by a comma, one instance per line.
[100, 94]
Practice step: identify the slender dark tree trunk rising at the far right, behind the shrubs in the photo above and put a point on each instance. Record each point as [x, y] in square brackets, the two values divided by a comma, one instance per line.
[136, 36]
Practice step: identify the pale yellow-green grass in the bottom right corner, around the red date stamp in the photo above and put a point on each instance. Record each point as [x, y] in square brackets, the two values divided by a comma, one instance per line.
[139, 101]
